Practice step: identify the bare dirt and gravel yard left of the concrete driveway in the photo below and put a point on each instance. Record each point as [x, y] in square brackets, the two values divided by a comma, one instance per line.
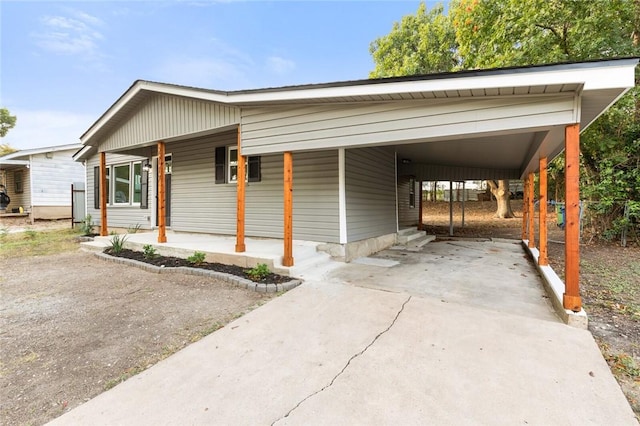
[73, 326]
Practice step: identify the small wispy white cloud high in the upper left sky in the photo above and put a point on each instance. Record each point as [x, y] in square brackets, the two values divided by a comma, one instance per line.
[76, 34]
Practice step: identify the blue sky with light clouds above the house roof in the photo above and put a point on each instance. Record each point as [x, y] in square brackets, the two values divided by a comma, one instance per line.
[63, 64]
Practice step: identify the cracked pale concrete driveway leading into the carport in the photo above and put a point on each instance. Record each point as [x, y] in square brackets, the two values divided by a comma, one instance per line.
[362, 346]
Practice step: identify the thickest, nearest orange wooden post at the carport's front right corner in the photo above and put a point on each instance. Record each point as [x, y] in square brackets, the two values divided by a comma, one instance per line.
[571, 298]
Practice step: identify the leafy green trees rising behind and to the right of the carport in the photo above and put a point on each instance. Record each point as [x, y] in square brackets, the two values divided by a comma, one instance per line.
[501, 33]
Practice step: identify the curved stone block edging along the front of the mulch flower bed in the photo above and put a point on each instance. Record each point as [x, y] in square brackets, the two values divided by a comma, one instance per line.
[229, 278]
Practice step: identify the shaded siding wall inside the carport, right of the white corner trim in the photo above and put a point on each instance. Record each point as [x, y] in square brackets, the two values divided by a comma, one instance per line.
[370, 187]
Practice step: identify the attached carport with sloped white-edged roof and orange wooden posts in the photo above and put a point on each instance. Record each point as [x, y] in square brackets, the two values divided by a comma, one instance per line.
[490, 124]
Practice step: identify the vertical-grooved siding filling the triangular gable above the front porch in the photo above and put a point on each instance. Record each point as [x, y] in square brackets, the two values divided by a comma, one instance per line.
[163, 117]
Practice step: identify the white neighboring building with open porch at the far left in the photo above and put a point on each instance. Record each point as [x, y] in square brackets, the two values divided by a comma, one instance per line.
[38, 181]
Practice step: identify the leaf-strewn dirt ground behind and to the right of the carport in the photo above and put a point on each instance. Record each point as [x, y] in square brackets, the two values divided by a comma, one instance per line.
[609, 280]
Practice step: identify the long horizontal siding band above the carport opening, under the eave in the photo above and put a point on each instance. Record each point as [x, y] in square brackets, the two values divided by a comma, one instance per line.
[278, 129]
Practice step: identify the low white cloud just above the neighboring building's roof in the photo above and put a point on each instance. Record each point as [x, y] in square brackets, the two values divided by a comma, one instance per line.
[39, 128]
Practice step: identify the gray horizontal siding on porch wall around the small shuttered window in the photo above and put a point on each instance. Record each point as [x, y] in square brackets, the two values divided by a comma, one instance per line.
[200, 205]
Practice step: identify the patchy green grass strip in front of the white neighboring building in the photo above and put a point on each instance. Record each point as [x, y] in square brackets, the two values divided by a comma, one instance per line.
[23, 244]
